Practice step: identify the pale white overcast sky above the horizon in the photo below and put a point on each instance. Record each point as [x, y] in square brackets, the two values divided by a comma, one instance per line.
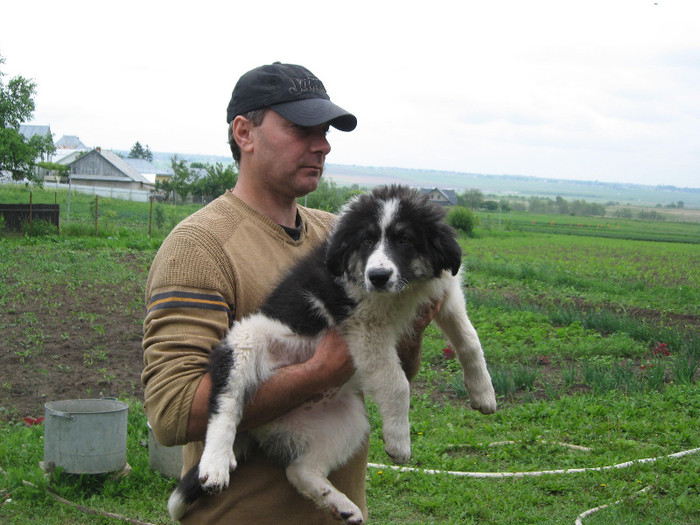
[603, 90]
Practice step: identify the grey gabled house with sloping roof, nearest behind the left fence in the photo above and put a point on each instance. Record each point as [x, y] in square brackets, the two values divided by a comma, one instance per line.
[105, 169]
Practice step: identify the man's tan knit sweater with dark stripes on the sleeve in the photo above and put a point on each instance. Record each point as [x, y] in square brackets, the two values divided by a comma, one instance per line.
[218, 265]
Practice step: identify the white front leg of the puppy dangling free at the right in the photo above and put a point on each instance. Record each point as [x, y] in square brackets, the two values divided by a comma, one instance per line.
[453, 320]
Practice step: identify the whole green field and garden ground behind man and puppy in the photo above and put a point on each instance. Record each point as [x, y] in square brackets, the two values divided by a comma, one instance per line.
[591, 340]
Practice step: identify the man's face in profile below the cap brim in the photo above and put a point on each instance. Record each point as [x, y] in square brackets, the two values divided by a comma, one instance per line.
[288, 156]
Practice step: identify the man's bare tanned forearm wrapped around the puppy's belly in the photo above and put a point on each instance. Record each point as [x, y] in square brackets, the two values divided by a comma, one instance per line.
[330, 366]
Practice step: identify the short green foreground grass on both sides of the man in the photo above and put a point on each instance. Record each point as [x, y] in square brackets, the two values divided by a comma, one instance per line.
[446, 436]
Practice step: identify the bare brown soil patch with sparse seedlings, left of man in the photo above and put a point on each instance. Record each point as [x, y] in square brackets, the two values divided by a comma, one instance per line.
[70, 343]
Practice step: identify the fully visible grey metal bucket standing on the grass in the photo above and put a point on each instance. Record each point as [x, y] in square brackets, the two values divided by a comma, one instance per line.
[85, 436]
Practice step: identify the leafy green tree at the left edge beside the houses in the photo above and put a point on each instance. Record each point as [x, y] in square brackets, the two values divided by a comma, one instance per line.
[17, 154]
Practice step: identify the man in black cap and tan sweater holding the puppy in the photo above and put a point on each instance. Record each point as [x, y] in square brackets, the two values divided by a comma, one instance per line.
[219, 264]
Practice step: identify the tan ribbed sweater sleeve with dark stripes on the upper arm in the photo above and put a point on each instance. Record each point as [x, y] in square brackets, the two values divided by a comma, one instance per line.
[189, 308]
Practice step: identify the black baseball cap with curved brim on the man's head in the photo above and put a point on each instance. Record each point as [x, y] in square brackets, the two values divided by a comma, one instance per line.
[291, 91]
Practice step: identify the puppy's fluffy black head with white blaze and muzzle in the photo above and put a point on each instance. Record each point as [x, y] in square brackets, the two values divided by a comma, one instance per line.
[391, 237]
